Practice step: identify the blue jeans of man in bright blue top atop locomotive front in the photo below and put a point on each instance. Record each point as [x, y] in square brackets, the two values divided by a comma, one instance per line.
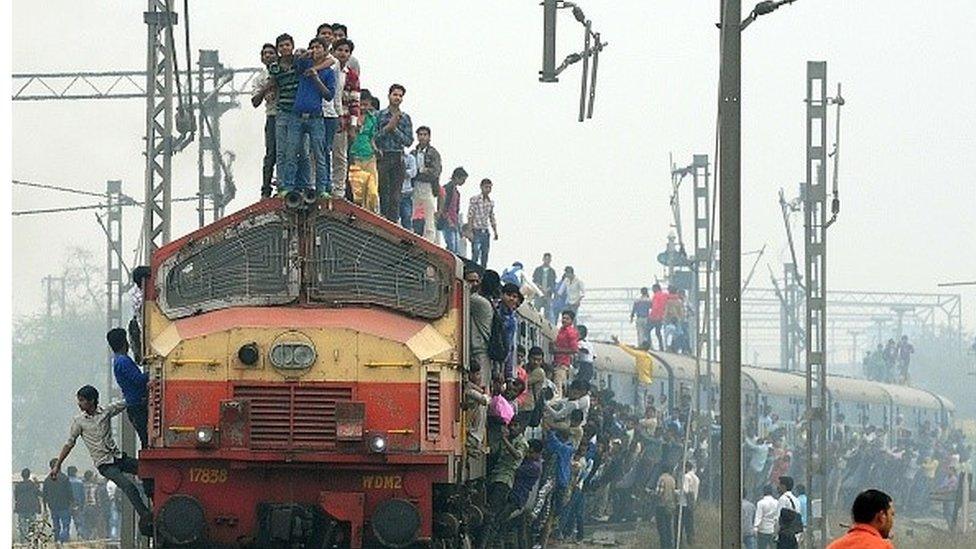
[320, 132]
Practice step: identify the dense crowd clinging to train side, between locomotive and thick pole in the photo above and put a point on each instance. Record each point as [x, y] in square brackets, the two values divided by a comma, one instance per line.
[561, 451]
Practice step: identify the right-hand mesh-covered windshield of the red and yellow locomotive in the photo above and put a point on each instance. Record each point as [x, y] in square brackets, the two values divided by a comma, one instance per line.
[354, 265]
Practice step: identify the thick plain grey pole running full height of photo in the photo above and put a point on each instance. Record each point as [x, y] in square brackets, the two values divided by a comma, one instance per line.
[729, 108]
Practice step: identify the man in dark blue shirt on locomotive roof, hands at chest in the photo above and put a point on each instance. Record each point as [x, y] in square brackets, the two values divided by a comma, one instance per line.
[394, 134]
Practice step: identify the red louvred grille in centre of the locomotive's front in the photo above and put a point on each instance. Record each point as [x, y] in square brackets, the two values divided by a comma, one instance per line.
[285, 417]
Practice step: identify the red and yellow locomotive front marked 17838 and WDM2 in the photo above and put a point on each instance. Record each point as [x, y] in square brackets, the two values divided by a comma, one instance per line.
[305, 380]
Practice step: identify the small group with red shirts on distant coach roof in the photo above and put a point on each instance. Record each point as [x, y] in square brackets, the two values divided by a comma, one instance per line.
[664, 316]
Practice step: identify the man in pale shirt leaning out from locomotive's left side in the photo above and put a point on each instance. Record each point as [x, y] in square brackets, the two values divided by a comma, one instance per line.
[94, 426]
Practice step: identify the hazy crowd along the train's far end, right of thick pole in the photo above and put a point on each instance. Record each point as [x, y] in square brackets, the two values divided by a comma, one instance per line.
[915, 467]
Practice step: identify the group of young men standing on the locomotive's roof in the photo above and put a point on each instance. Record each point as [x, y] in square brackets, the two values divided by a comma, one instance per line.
[326, 134]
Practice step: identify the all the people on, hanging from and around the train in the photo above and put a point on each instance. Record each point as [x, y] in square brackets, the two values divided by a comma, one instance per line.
[562, 452]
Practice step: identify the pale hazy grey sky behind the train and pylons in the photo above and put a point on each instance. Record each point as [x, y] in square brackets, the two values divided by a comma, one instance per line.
[594, 194]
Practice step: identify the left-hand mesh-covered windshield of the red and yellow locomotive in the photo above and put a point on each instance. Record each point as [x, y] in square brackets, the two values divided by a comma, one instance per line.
[246, 264]
